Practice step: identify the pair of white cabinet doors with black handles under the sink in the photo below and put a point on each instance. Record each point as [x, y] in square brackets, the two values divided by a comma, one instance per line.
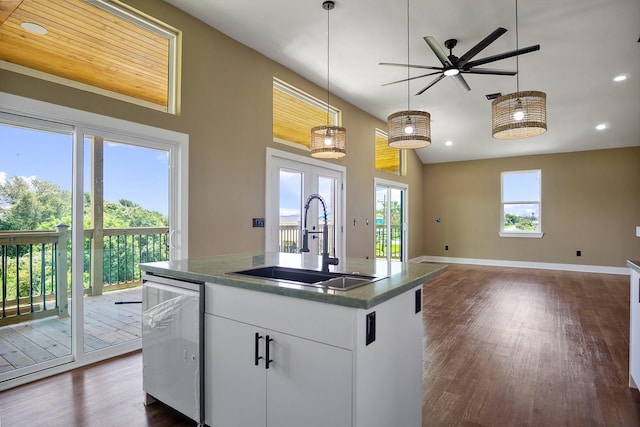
[307, 383]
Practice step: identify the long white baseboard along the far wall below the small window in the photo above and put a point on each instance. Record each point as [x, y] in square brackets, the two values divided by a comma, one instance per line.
[526, 264]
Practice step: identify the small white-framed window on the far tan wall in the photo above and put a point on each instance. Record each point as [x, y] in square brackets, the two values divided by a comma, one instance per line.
[521, 204]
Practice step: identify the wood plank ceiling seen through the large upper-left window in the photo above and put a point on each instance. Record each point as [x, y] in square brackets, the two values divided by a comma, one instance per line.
[87, 44]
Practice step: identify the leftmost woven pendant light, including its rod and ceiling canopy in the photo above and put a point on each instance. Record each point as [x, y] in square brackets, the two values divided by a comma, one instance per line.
[328, 142]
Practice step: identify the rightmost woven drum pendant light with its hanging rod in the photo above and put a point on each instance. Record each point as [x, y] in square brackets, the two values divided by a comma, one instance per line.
[520, 114]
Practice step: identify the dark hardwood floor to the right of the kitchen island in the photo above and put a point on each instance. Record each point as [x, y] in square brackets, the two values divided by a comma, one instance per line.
[523, 347]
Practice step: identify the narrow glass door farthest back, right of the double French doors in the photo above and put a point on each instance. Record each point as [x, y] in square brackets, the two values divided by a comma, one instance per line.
[391, 222]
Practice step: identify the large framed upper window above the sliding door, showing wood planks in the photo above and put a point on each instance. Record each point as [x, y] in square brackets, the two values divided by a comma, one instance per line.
[100, 46]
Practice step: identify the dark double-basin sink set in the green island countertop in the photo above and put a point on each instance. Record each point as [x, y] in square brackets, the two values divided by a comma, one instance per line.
[330, 280]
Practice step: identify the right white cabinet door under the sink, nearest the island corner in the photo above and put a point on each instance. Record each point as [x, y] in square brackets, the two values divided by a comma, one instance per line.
[308, 383]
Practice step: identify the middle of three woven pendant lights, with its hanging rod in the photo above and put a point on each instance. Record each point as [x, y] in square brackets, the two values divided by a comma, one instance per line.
[411, 128]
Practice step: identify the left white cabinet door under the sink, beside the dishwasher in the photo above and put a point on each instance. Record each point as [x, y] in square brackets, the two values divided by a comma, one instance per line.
[234, 385]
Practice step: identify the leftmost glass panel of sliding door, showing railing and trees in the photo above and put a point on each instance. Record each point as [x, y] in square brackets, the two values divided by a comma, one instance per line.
[35, 245]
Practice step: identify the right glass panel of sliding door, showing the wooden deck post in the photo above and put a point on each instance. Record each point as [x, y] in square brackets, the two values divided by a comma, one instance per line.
[126, 221]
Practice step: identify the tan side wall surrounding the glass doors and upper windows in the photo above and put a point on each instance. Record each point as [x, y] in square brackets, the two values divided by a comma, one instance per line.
[227, 111]
